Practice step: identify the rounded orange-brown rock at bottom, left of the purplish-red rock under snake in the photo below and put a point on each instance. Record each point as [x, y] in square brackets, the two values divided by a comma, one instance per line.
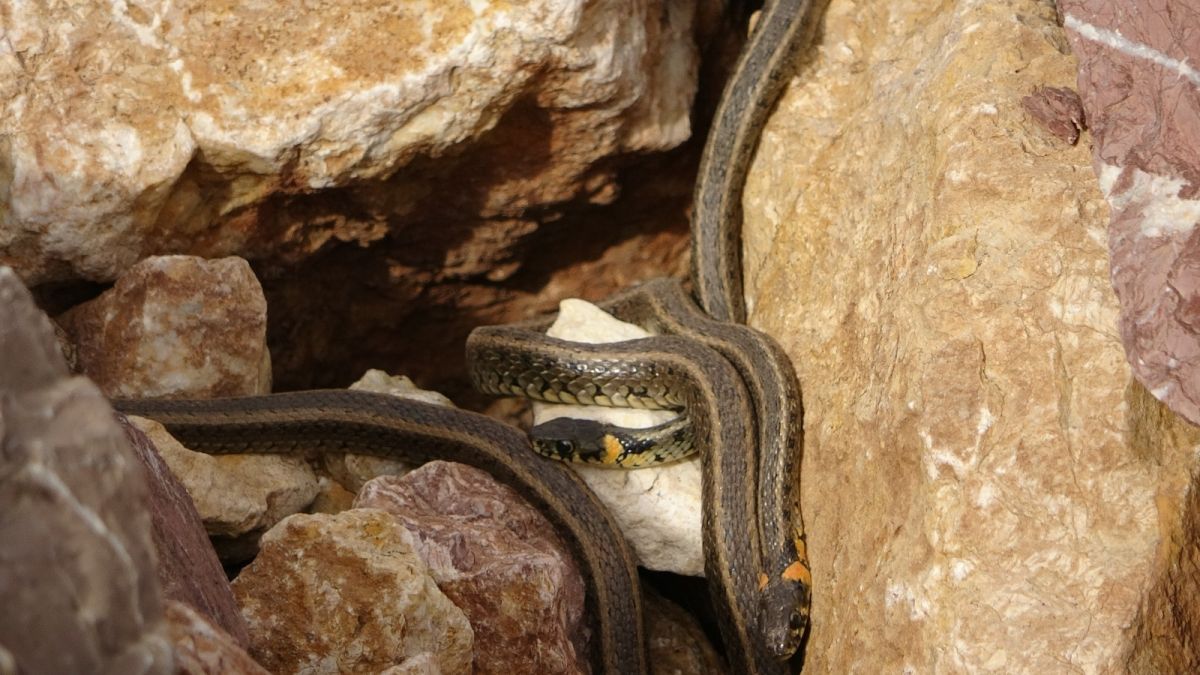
[347, 594]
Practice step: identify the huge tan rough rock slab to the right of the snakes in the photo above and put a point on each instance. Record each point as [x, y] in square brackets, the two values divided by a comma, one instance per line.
[983, 489]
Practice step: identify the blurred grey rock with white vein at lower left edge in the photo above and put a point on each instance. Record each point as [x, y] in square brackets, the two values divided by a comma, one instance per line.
[79, 587]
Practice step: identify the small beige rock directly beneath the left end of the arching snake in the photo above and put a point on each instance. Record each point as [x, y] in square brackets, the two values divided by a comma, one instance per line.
[236, 495]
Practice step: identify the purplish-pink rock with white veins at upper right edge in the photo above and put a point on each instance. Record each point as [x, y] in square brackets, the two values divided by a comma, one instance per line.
[1142, 92]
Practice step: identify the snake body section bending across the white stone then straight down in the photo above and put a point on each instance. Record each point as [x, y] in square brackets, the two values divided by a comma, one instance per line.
[507, 359]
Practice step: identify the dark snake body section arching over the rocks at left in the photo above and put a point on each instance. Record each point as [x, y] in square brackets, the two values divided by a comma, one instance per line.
[379, 425]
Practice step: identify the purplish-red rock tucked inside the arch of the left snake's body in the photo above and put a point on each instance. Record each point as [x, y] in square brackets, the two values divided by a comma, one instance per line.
[497, 559]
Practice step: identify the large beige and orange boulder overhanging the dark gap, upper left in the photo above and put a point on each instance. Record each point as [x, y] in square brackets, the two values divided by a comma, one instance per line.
[184, 122]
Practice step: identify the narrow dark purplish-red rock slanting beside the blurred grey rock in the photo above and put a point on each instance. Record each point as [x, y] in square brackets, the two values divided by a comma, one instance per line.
[189, 570]
